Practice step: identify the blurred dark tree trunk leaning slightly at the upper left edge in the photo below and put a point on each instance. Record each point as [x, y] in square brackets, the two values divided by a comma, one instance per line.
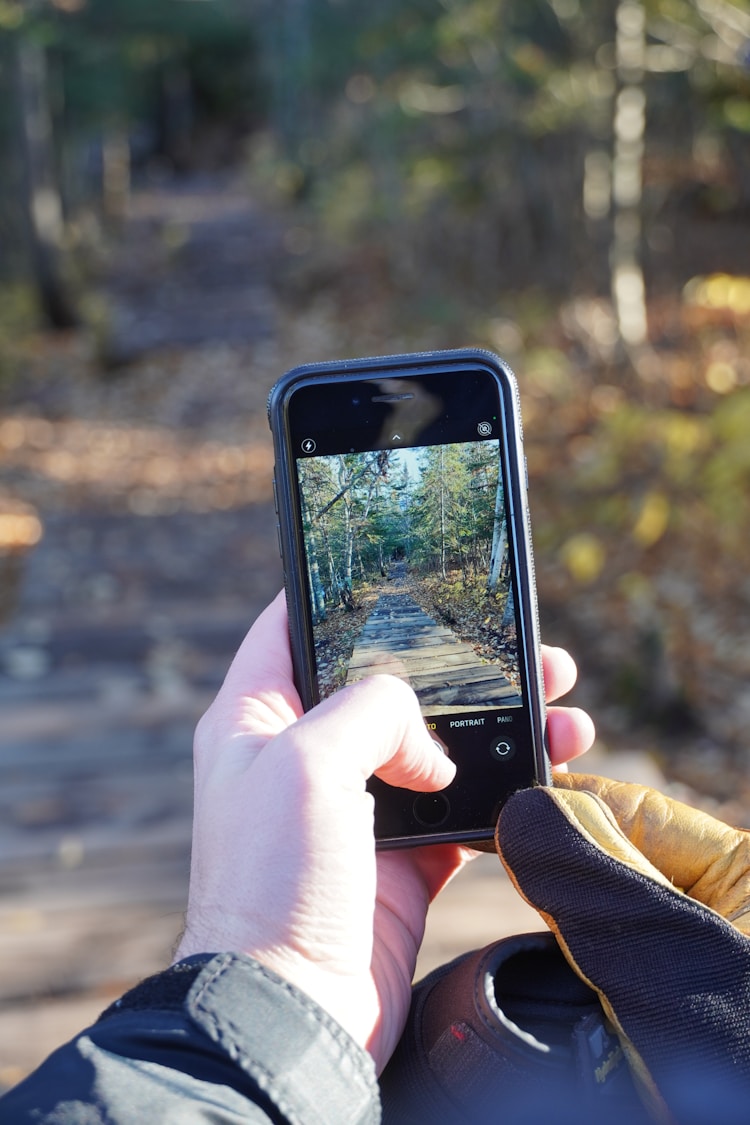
[43, 205]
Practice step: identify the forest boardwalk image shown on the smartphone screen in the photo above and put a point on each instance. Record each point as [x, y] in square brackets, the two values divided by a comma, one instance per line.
[409, 573]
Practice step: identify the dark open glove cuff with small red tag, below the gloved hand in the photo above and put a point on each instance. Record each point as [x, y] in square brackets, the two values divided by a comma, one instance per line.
[510, 1025]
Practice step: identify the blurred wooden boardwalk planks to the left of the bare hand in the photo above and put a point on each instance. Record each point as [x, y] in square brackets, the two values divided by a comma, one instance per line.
[98, 705]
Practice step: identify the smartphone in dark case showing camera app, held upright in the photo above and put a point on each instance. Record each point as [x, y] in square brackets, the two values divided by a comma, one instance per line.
[401, 491]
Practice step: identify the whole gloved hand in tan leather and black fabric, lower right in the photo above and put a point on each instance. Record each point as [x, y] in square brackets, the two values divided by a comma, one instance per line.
[650, 903]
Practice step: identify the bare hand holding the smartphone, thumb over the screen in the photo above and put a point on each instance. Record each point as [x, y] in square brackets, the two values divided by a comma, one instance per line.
[284, 861]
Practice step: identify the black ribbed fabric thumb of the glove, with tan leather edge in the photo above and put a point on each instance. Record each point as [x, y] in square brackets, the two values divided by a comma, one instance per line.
[673, 976]
